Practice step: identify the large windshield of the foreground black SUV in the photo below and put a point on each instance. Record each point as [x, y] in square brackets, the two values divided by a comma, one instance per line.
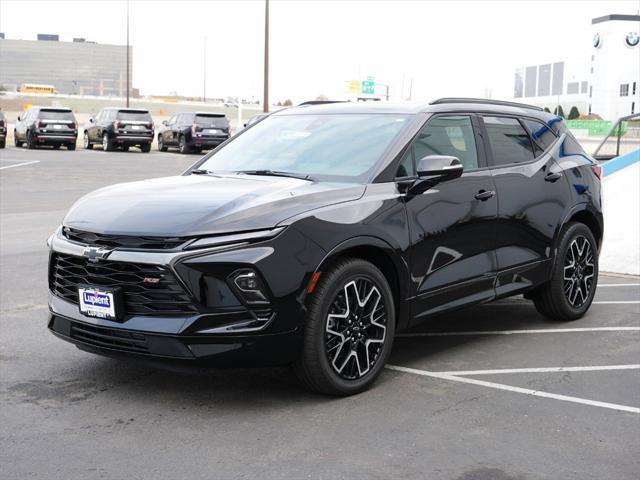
[343, 147]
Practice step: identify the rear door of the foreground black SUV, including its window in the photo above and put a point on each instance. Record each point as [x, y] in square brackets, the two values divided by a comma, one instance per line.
[532, 198]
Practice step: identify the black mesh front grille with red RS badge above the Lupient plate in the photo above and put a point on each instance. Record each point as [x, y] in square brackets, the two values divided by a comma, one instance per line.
[166, 297]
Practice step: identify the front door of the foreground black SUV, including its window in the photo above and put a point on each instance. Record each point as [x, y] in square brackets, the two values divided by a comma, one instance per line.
[453, 224]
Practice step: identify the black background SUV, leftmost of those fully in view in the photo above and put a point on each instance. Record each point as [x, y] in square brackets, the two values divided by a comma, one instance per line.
[46, 126]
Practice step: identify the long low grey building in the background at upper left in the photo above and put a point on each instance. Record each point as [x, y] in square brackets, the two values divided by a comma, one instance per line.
[78, 67]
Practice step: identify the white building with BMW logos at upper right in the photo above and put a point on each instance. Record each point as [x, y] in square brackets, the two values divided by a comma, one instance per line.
[605, 82]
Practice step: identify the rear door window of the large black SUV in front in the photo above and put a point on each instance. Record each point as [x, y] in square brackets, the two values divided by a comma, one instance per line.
[509, 141]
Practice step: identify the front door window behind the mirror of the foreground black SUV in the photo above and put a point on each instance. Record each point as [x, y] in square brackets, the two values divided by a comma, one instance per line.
[448, 135]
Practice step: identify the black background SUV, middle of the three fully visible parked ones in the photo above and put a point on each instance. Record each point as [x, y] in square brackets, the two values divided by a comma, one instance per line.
[119, 127]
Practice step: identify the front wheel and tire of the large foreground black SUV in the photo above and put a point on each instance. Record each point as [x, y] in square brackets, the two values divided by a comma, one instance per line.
[334, 348]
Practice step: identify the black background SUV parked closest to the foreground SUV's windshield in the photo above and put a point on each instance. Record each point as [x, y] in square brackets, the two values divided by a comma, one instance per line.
[193, 131]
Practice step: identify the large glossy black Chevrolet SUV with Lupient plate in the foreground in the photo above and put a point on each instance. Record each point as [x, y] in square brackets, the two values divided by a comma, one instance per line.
[312, 237]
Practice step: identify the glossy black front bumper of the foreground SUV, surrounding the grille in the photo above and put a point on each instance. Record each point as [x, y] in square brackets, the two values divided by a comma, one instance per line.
[218, 334]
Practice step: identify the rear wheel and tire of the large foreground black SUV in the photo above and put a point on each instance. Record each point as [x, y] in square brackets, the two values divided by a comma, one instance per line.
[569, 293]
